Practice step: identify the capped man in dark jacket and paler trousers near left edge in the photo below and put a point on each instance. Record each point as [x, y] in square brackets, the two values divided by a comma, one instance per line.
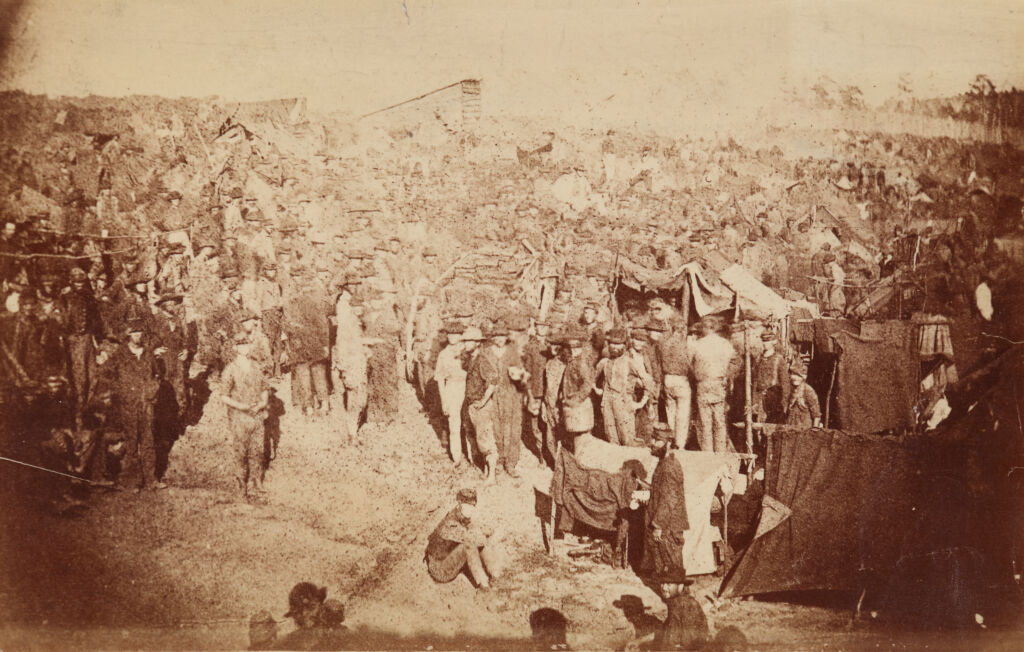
[84, 330]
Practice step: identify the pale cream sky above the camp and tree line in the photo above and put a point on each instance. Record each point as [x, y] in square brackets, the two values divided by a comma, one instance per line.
[554, 58]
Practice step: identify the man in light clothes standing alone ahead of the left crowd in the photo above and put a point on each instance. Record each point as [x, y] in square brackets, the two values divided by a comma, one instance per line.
[246, 393]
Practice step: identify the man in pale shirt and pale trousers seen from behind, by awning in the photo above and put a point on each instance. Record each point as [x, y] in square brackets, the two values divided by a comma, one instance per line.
[715, 364]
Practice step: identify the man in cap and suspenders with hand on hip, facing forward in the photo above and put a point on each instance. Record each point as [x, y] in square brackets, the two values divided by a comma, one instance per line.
[619, 376]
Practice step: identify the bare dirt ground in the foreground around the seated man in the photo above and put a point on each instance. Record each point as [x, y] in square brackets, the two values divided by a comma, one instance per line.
[185, 569]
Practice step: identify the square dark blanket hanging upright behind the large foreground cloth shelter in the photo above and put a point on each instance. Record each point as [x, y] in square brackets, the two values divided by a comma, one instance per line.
[878, 381]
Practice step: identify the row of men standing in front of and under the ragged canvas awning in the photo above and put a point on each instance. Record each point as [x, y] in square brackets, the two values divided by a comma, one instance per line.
[547, 384]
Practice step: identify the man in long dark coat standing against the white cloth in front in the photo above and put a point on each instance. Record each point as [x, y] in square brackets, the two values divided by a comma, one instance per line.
[667, 520]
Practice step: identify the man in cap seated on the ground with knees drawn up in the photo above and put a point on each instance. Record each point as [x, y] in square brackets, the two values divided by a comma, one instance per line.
[457, 544]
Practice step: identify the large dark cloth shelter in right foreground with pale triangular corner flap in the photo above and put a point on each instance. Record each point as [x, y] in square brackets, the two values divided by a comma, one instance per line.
[843, 512]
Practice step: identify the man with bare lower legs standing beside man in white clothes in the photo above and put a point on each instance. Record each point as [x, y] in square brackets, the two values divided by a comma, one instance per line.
[482, 383]
